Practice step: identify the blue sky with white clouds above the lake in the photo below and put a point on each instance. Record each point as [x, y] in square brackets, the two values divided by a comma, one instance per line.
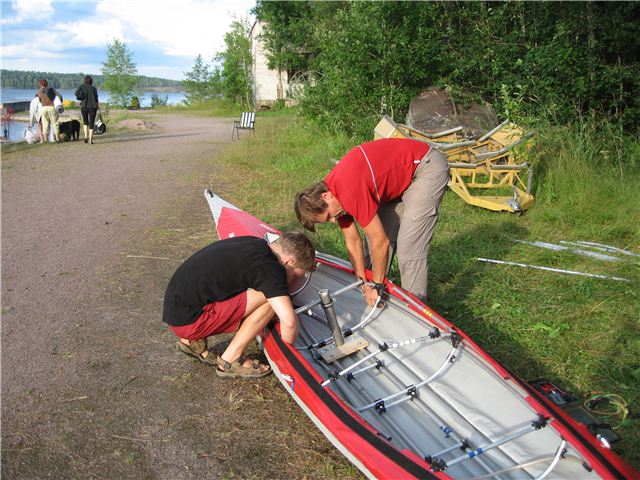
[72, 36]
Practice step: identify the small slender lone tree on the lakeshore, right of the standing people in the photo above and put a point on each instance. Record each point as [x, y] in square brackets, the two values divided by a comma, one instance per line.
[120, 73]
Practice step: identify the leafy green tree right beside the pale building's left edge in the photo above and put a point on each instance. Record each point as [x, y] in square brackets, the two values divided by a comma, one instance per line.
[235, 71]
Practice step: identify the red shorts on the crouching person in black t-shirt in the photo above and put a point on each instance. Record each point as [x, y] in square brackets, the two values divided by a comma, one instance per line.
[217, 317]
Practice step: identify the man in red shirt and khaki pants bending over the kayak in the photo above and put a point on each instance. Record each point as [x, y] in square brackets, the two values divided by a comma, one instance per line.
[392, 188]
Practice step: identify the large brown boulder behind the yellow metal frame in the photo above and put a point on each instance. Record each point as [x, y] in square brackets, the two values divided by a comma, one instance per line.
[434, 111]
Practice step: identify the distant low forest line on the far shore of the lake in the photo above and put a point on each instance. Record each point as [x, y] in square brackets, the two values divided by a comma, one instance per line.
[28, 79]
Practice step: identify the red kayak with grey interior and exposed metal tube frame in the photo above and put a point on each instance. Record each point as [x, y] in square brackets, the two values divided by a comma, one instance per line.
[403, 393]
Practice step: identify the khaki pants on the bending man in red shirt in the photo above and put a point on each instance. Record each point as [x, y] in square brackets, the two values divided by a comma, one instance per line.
[410, 221]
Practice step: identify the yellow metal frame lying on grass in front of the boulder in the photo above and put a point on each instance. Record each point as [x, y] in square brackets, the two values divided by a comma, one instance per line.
[478, 167]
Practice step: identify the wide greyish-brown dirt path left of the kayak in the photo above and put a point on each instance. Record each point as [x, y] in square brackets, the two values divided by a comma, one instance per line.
[91, 384]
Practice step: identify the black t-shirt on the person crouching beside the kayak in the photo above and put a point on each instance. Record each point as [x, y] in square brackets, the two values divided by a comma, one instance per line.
[220, 271]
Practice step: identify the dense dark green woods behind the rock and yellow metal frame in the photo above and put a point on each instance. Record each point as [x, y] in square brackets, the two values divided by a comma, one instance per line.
[552, 61]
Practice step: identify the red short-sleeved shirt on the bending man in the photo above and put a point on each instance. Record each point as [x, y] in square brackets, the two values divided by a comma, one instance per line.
[373, 174]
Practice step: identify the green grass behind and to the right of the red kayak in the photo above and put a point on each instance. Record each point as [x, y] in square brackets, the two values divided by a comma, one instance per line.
[581, 332]
